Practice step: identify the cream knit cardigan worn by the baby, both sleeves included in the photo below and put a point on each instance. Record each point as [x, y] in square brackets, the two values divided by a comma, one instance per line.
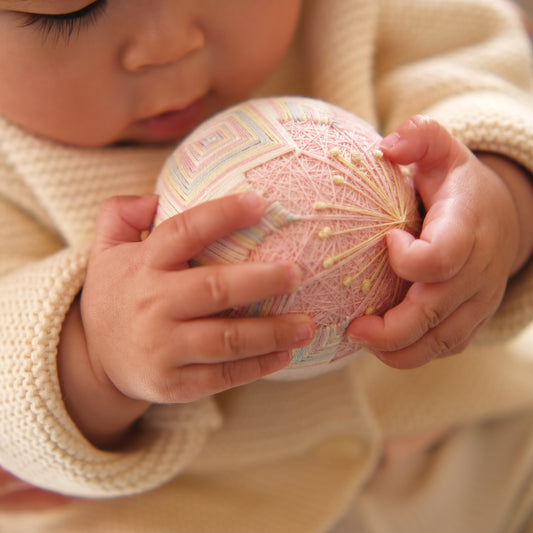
[302, 447]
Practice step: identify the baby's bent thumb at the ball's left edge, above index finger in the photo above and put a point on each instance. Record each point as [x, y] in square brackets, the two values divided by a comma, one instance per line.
[124, 219]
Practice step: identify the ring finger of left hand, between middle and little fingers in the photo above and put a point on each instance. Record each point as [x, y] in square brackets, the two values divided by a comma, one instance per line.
[230, 339]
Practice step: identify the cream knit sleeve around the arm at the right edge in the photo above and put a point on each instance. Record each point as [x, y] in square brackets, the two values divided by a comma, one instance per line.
[466, 63]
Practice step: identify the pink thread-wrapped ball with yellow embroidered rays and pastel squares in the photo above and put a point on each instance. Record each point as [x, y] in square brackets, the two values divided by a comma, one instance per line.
[332, 198]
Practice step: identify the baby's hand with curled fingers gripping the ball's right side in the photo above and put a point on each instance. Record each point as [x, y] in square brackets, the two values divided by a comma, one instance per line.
[470, 245]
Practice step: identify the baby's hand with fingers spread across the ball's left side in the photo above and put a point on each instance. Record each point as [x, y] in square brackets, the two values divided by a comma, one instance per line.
[149, 319]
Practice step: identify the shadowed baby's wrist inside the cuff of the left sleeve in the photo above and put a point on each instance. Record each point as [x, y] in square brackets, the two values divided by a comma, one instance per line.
[101, 412]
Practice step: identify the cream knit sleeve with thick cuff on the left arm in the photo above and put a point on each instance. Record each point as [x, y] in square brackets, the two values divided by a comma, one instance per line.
[39, 278]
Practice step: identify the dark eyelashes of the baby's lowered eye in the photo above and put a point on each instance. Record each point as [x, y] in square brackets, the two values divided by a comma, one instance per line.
[62, 26]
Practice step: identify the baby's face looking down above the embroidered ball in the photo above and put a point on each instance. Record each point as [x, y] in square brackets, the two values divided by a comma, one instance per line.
[147, 71]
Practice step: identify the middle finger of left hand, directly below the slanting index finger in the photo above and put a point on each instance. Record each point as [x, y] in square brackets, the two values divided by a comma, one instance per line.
[211, 289]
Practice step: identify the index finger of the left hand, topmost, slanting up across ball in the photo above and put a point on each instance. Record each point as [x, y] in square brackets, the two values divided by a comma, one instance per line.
[179, 238]
